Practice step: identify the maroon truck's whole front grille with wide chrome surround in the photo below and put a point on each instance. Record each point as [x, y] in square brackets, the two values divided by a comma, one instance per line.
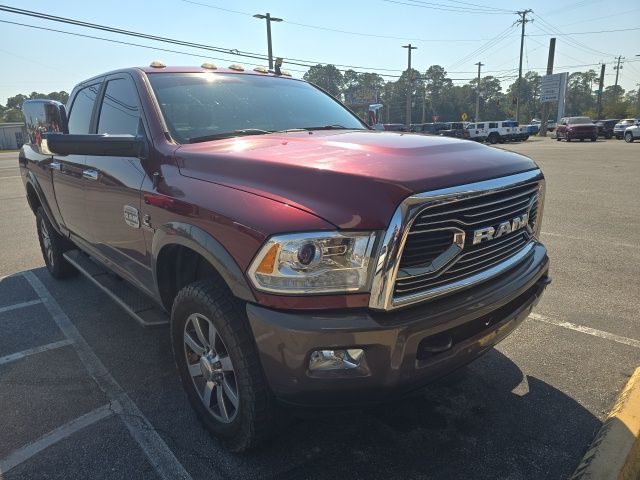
[428, 249]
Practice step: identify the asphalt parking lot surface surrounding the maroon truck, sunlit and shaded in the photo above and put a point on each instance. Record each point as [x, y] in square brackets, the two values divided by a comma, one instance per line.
[81, 378]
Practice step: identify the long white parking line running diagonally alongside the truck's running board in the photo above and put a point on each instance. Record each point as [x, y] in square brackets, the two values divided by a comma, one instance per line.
[158, 453]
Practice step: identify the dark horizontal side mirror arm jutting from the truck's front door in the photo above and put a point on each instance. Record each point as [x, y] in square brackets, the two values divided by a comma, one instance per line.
[100, 145]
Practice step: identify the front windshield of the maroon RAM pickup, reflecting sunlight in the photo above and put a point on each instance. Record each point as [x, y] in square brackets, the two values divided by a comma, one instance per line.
[207, 106]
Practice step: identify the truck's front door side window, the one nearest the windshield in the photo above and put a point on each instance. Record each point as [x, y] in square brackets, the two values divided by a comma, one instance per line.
[119, 113]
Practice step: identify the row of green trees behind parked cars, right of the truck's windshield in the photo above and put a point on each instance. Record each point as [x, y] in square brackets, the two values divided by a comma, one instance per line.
[434, 95]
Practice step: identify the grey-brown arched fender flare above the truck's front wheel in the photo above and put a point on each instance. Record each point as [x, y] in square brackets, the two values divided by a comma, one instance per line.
[200, 241]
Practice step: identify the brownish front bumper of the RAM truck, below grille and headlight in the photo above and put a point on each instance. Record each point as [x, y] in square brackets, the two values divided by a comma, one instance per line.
[396, 344]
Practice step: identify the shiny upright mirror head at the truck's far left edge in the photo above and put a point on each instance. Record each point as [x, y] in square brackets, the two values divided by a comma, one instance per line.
[42, 117]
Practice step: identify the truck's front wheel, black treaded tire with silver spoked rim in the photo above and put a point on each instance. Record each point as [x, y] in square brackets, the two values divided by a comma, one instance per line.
[254, 416]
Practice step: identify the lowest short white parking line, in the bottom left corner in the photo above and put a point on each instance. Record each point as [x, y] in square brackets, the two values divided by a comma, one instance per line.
[22, 454]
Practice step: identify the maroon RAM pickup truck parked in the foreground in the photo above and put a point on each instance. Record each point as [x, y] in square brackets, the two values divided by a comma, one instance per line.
[303, 259]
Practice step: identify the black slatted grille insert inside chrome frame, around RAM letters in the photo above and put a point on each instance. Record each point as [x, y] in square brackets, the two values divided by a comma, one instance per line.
[426, 240]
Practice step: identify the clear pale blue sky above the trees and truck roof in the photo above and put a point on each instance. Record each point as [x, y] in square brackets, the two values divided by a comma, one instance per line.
[38, 60]
